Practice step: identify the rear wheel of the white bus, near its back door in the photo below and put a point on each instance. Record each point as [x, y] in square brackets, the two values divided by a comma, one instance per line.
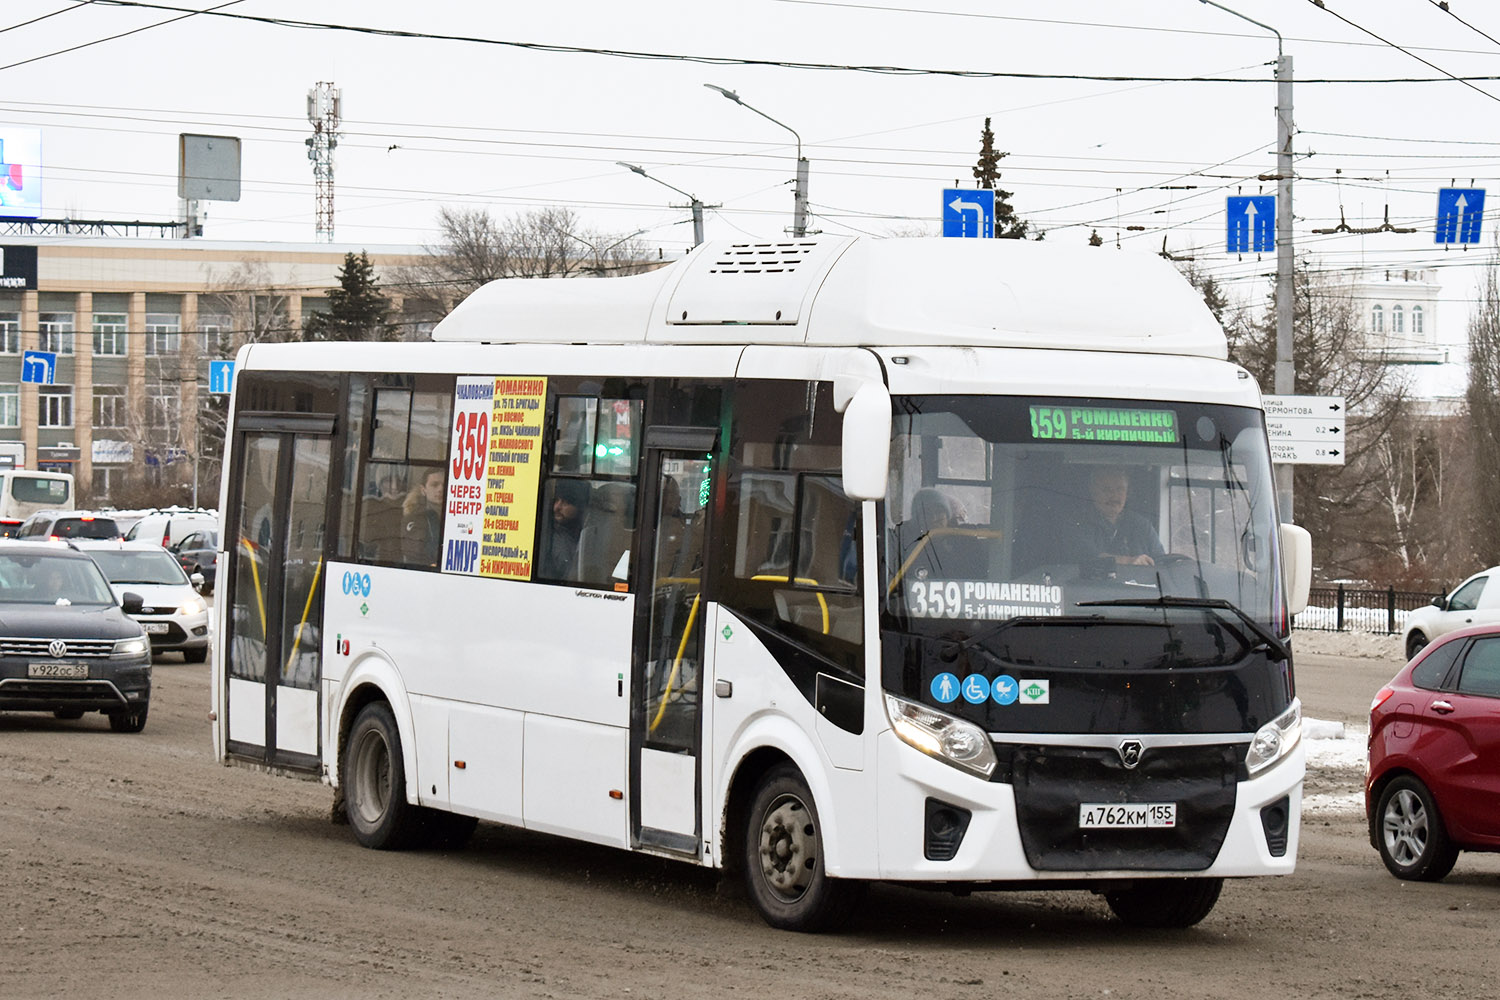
[376, 785]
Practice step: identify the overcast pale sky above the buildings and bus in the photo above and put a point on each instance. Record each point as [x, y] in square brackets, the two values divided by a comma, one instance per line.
[431, 122]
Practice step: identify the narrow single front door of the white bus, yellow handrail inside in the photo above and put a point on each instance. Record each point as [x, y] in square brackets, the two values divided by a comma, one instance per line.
[668, 663]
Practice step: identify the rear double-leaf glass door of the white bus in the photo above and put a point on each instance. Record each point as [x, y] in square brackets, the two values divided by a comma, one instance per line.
[274, 654]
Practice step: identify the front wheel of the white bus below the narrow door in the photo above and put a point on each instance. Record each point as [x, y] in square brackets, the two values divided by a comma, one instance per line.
[784, 858]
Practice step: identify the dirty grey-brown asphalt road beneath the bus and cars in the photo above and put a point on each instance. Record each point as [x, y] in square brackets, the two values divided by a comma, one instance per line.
[136, 867]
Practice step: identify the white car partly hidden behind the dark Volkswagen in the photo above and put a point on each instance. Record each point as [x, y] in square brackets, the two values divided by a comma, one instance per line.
[173, 615]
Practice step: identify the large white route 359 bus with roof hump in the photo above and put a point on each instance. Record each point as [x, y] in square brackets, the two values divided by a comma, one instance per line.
[779, 560]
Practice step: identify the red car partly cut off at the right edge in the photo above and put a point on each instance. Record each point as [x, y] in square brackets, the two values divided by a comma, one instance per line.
[1435, 756]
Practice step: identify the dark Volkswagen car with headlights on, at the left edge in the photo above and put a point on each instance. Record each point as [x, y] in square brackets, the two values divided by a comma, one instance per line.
[67, 645]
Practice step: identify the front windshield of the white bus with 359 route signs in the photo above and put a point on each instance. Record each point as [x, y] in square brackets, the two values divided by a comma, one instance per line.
[1133, 537]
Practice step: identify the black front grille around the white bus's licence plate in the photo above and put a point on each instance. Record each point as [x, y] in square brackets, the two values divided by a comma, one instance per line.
[1052, 782]
